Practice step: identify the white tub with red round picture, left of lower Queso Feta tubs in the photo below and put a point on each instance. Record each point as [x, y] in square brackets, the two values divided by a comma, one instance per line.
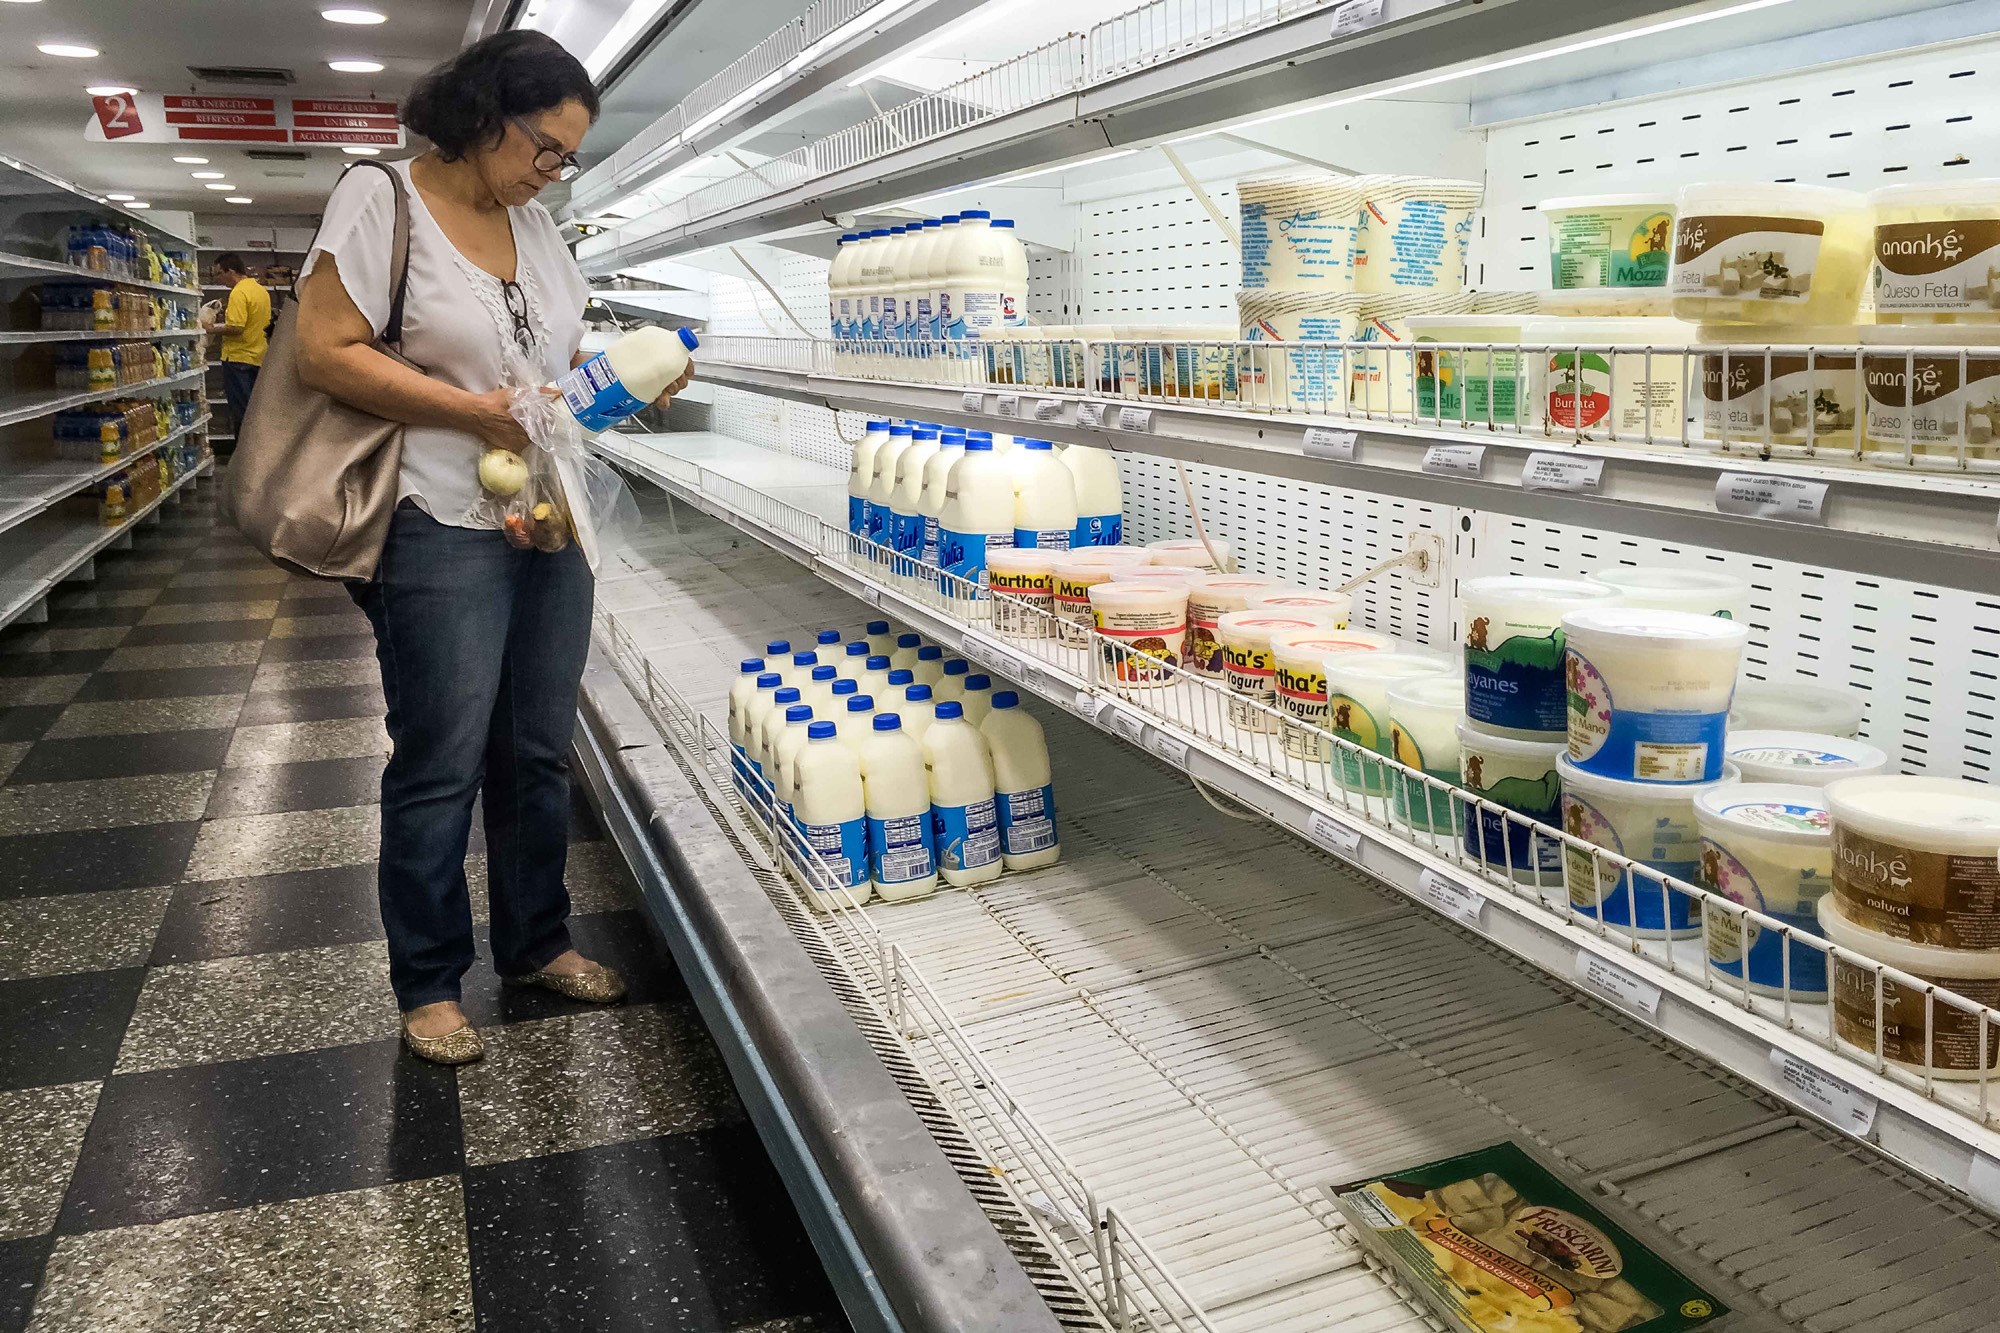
[1609, 377]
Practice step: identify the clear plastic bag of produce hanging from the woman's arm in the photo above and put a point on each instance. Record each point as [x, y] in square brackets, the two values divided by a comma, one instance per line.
[569, 493]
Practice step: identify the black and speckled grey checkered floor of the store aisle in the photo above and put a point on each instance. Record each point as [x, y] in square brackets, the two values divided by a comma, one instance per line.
[205, 1116]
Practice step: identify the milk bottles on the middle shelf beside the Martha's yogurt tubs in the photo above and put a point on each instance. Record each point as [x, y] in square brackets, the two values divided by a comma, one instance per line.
[941, 497]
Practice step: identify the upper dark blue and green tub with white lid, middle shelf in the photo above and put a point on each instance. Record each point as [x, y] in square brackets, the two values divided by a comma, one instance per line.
[1515, 682]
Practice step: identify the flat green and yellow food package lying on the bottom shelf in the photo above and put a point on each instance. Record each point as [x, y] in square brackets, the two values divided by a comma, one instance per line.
[1499, 1244]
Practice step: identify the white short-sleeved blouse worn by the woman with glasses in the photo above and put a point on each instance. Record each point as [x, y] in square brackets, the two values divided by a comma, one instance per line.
[455, 321]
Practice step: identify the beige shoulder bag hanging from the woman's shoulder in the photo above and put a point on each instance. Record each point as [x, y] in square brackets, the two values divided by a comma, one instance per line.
[313, 481]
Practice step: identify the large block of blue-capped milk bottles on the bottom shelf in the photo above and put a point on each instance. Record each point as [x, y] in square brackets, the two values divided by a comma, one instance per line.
[893, 764]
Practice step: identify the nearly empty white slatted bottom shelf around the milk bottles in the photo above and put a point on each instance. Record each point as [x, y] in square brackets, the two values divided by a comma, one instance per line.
[1209, 1022]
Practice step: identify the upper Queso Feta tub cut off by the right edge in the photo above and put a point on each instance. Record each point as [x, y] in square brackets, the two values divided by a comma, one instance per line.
[1937, 251]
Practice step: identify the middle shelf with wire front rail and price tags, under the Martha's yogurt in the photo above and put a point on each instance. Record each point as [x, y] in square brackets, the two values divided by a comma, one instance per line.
[1945, 1132]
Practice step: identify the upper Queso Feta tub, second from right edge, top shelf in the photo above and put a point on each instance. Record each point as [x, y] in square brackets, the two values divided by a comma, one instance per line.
[1769, 255]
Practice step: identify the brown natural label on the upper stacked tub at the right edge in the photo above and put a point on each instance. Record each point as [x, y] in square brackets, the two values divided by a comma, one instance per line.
[1919, 896]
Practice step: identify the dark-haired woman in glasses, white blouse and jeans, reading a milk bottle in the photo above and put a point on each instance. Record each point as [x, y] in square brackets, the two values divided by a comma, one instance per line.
[481, 643]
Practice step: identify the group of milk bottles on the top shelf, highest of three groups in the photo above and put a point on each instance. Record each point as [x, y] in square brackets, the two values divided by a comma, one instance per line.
[903, 293]
